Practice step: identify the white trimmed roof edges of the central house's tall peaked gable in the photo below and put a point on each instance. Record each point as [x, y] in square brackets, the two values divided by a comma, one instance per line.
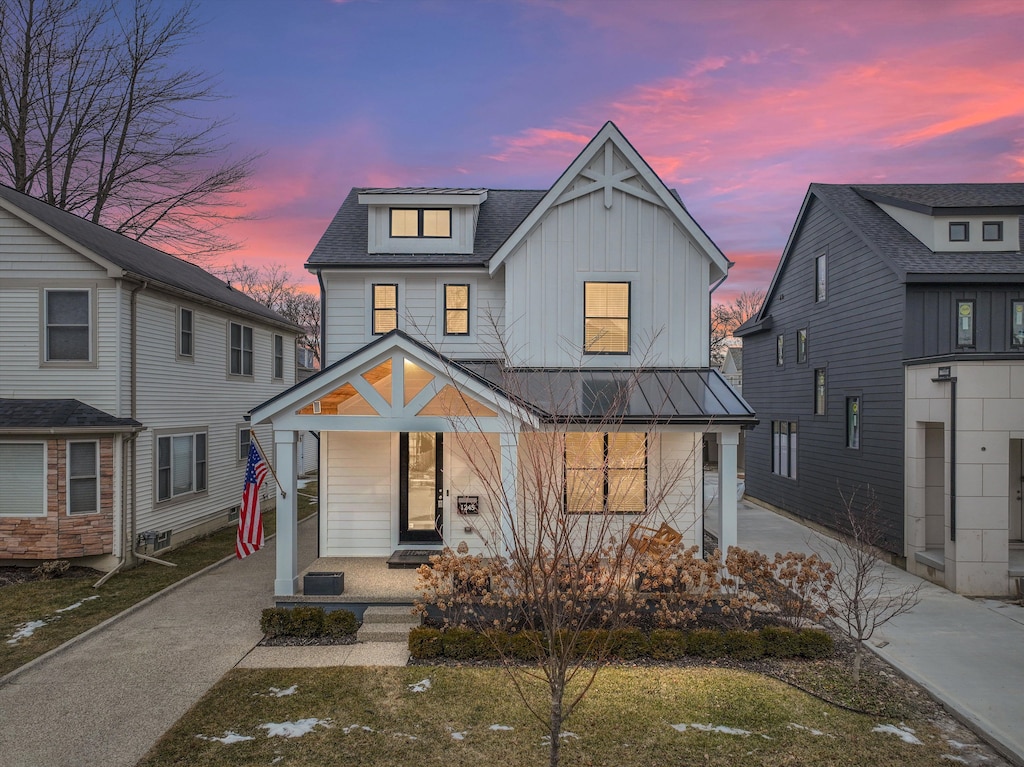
[611, 133]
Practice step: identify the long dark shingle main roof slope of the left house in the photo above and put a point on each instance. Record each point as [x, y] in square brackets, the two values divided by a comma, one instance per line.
[142, 261]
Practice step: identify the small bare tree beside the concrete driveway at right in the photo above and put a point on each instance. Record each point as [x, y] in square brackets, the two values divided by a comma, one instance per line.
[865, 595]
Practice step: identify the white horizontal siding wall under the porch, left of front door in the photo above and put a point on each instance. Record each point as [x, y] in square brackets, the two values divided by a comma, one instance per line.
[359, 493]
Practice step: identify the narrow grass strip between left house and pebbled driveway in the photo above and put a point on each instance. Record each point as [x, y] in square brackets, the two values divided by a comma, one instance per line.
[41, 601]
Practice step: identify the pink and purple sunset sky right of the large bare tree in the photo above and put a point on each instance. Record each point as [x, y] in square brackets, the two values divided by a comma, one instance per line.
[739, 105]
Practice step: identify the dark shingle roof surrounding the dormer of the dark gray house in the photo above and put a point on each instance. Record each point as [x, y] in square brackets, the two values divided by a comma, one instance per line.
[907, 254]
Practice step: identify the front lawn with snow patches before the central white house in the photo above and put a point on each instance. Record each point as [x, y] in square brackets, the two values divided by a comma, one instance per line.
[372, 716]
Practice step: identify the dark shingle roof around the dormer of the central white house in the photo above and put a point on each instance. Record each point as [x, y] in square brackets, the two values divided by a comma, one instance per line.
[345, 243]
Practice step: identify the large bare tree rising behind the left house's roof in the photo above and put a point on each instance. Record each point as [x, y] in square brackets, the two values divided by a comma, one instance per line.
[96, 120]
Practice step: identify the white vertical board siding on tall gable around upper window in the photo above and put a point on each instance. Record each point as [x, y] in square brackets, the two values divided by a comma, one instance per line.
[634, 241]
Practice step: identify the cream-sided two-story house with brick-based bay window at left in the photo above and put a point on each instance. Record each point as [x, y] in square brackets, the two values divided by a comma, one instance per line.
[126, 376]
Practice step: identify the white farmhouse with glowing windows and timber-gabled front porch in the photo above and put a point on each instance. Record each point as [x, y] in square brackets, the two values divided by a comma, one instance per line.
[461, 323]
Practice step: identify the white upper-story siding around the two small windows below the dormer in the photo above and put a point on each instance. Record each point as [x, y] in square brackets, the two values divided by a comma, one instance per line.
[421, 310]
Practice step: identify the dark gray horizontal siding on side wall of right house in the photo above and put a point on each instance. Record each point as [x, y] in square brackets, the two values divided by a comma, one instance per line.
[858, 336]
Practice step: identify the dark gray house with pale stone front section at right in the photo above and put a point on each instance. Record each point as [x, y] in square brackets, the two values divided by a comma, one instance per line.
[889, 357]
